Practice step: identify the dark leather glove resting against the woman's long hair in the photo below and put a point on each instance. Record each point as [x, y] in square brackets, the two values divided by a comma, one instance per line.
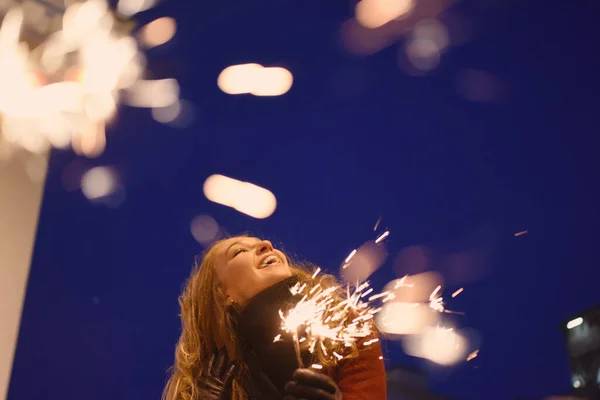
[216, 379]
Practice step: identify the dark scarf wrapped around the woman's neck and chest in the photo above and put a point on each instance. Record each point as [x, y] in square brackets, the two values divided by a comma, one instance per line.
[271, 363]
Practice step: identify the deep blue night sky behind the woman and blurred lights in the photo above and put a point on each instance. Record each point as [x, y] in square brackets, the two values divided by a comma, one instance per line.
[355, 139]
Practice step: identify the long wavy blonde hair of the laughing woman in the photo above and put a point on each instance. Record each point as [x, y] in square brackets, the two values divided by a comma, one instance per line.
[207, 324]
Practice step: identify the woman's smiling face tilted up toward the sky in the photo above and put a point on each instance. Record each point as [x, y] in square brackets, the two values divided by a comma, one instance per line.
[246, 266]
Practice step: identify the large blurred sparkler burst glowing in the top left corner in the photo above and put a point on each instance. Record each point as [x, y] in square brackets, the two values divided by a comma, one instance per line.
[65, 68]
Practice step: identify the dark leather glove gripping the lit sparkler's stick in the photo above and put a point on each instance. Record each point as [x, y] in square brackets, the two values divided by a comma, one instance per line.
[307, 384]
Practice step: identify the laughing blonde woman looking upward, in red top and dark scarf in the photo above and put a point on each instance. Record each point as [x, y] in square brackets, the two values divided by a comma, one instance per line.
[230, 311]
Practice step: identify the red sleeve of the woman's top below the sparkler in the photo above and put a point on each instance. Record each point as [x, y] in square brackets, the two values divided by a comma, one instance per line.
[362, 378]
